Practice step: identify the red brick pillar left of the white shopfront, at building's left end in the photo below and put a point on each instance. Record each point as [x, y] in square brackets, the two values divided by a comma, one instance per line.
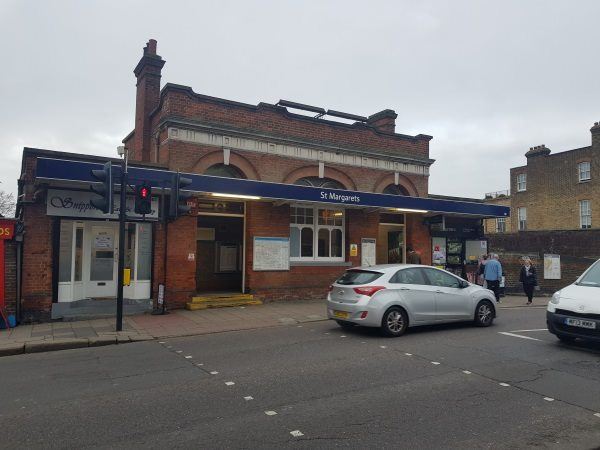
[36, 289]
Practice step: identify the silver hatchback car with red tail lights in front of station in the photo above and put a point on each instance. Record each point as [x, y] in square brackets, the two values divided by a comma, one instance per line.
[394, 297]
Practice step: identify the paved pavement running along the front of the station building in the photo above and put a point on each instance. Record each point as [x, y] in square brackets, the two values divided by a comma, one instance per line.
[90, 333]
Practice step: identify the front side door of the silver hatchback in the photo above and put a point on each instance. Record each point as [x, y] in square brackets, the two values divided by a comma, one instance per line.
[451, 300]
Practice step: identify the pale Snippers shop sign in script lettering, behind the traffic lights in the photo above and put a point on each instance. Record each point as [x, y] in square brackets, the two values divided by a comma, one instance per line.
[77, 204]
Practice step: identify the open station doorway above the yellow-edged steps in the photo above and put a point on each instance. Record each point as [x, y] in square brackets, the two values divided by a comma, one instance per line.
[219, 251]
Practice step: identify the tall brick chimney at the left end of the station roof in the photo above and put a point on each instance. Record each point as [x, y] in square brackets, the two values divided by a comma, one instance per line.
[147, 73]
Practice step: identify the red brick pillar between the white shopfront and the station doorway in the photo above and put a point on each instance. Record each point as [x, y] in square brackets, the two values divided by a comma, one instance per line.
[181, 271]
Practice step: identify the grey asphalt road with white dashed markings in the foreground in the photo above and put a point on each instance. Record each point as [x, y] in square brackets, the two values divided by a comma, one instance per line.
[311, 386]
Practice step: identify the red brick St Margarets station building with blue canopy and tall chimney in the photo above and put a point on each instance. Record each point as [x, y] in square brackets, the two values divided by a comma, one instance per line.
[286, 197]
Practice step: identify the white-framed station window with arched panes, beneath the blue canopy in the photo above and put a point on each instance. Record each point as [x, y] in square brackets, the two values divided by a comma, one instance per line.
[316, 234]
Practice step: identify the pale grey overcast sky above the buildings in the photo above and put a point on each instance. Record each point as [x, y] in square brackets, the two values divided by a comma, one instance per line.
[487, 80]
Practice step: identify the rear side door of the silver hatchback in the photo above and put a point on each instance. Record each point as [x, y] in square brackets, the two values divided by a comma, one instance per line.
[417, 295]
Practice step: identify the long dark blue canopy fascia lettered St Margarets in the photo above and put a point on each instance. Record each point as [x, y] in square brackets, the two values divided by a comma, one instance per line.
[80, 171]
